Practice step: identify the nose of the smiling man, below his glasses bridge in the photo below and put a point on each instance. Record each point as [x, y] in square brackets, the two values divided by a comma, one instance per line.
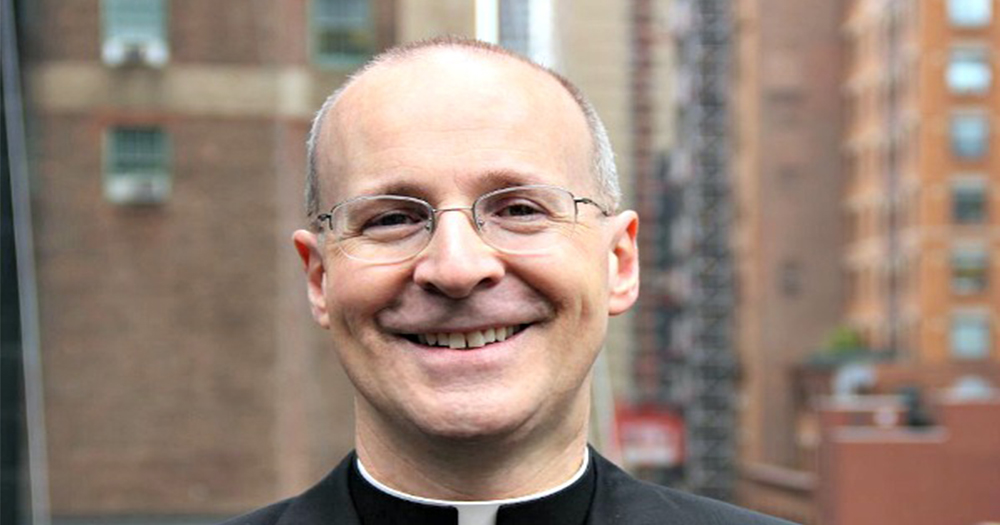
[457, 261]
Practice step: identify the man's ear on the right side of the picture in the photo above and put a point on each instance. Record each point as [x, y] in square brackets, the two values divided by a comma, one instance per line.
[623, 263]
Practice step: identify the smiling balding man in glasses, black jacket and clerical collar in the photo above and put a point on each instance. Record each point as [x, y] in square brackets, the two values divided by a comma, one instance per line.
[465, 257]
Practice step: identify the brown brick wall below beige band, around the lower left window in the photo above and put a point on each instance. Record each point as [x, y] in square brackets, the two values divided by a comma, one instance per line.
[157, 332]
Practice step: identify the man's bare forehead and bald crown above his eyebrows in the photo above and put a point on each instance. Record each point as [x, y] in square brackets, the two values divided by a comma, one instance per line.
[454, 118]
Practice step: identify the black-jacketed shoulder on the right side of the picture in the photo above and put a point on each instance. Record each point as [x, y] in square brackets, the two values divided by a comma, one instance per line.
[622, 499]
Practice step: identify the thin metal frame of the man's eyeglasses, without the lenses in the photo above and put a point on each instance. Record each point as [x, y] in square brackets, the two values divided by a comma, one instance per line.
[433, 218]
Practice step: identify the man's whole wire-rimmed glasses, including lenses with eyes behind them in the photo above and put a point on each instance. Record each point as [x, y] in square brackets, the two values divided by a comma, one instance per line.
[386, 229]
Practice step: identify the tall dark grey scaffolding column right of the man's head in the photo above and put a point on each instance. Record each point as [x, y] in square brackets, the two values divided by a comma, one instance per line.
[702, 331]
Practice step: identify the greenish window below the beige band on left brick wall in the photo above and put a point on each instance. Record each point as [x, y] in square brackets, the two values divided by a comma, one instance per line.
[137, 167]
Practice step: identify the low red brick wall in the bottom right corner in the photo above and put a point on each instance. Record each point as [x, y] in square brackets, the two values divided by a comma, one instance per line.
[947, 475]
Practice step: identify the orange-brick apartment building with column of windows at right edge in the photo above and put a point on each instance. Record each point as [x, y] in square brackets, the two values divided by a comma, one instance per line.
[923, 169]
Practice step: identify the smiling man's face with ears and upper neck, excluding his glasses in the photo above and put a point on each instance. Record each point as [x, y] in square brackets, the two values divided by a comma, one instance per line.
[448, 127]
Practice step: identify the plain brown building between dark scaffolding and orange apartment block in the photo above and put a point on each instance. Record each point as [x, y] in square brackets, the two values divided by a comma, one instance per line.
[786, 180]
